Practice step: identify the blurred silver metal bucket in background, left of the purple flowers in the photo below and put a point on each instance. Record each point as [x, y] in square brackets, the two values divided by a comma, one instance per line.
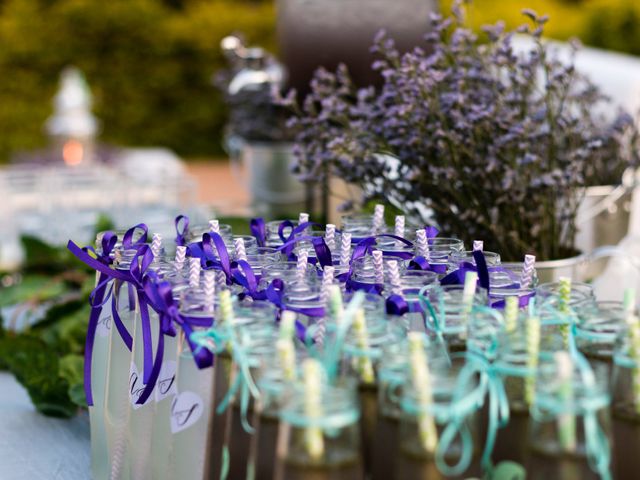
[266, 173]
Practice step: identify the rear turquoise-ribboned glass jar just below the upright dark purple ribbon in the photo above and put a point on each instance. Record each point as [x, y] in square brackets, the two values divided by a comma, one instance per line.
[447, 314]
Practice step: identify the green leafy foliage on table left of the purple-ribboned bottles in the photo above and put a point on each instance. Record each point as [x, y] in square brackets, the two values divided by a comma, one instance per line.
[47, 357]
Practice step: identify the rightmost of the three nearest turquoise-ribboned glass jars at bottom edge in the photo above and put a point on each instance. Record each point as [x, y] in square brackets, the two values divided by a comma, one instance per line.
[570, 424]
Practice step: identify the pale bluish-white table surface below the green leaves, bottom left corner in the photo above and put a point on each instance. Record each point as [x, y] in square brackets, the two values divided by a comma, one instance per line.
[36, 447]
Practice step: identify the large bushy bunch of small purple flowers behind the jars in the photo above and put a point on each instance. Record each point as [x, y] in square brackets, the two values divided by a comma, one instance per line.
[497, 145]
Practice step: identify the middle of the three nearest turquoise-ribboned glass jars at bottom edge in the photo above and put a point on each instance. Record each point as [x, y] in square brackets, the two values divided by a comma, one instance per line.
[451, 413]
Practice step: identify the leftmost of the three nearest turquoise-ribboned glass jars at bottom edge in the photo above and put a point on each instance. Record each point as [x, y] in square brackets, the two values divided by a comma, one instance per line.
[337, 425]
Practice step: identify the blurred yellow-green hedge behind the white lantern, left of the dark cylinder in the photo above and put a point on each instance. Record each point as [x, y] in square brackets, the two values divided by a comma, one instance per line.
[149, 64]
